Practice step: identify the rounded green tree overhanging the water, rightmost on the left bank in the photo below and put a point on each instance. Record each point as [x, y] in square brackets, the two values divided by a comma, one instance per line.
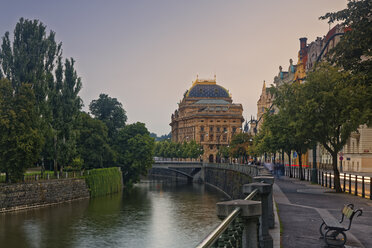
[135, 149]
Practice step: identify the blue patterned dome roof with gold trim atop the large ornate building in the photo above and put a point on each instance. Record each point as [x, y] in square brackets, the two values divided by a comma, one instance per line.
[207, 89]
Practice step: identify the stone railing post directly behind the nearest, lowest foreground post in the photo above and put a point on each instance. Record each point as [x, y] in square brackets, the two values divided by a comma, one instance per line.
[264, 190]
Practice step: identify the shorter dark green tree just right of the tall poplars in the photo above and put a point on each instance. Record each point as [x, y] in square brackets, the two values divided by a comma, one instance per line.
[92, 143]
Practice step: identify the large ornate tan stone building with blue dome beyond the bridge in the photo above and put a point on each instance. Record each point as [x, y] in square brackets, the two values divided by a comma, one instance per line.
[207, 115]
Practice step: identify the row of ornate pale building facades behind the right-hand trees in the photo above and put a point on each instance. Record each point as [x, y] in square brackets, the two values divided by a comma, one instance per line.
[357, 153]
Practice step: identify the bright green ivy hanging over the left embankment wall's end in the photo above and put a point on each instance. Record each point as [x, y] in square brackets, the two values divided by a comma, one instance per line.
[104, 181]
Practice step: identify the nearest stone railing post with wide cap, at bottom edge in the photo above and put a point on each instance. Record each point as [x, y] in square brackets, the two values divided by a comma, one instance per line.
[250, 213]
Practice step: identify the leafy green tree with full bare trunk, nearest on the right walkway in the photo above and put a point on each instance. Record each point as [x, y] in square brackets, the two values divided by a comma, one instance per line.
[333, 108]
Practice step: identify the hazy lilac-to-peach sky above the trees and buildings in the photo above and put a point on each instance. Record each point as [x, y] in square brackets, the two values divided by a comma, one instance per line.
[146, 53]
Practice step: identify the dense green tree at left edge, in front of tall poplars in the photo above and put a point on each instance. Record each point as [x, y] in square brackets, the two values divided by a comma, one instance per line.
[20, 138]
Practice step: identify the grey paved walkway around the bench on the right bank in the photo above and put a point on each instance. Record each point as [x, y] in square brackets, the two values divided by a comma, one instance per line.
[300, 206]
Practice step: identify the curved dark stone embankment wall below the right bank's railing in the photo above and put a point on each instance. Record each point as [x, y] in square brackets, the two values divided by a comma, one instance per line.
[229, 181]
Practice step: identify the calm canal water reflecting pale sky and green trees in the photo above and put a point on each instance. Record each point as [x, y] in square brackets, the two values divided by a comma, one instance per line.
[154, 214]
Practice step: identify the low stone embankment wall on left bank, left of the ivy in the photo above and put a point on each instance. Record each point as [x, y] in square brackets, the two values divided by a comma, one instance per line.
[42, 193]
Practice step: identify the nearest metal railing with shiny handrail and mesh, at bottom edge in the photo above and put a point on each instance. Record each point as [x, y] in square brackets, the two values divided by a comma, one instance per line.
[232, 224]
